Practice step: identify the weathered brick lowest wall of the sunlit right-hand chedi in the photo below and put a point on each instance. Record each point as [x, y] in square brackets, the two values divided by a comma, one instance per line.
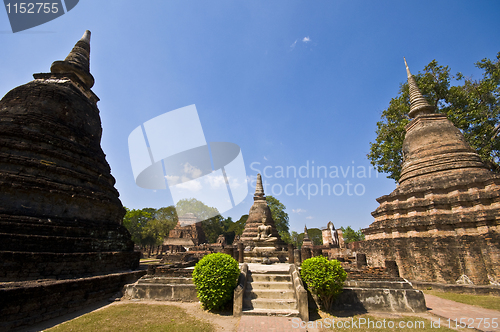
[438, 258]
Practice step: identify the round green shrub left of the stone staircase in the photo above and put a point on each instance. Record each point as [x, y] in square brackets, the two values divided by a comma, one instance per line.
[215, 277]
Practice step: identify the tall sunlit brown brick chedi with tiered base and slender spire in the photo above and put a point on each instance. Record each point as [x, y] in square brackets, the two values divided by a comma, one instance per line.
[442, 220]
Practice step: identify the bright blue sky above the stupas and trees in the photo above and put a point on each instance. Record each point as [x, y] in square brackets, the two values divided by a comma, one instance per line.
[293, 83]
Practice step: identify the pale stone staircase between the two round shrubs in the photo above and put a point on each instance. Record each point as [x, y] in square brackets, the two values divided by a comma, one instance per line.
[270, 292]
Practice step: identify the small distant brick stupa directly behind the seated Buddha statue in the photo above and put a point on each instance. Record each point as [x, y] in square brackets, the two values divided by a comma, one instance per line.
[259, 210]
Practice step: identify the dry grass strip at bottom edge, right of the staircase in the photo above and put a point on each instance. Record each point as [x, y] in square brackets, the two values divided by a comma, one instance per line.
[366, 322]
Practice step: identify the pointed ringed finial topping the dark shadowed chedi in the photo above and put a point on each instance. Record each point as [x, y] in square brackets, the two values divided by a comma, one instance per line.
[77, 61]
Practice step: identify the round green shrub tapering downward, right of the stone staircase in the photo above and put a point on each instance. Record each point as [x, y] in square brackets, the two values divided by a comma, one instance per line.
[323, 278]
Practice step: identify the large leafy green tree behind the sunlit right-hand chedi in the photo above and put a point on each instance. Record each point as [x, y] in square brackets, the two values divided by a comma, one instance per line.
[473, 107]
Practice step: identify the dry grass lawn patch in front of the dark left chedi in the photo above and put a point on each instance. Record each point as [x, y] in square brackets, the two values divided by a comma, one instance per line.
[136, 317]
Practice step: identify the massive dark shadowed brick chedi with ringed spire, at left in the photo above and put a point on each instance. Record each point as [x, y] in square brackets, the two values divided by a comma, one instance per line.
[60, 215]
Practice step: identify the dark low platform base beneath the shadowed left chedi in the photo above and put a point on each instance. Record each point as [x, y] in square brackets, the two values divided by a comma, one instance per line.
[27, 303]
